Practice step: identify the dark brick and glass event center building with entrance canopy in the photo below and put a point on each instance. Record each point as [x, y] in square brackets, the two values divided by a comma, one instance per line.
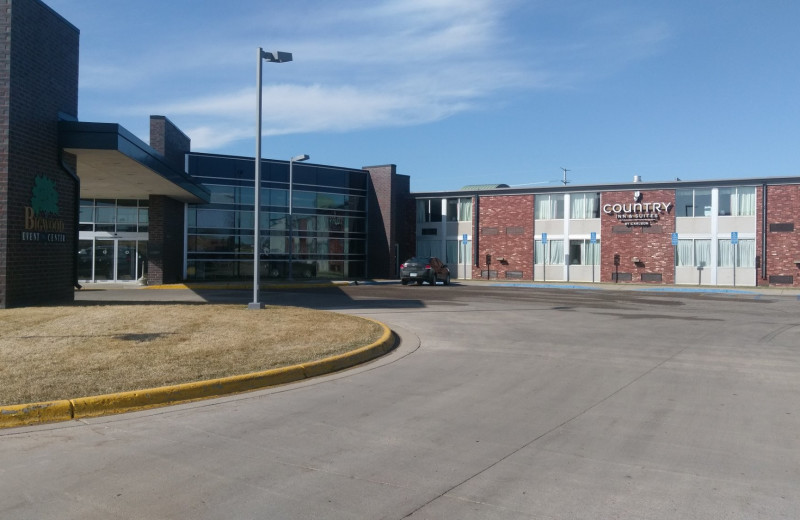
[91, 202]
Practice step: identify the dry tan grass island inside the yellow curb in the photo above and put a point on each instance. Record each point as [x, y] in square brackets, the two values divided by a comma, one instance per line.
[50, 353]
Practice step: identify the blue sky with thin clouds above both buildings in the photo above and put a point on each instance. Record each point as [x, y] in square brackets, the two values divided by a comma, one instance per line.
[458, 92]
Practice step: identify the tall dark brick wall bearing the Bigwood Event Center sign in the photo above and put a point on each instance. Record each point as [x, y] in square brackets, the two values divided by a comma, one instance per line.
[38, 80]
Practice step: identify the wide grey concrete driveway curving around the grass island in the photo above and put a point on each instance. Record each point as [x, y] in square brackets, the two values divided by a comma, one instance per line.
[500, 403]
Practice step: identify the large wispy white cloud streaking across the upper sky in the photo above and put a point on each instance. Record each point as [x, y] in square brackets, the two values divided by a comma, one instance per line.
[361, 65]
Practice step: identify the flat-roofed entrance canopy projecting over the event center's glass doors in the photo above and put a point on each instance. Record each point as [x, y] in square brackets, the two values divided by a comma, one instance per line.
[115, 164]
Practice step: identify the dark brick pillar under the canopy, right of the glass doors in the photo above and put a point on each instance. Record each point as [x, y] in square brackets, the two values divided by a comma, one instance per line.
[165, 243]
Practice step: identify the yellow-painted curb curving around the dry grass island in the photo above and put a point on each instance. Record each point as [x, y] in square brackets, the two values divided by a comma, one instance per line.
[84, 407]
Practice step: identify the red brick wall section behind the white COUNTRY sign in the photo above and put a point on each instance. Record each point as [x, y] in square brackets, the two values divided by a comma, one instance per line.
[652, 245]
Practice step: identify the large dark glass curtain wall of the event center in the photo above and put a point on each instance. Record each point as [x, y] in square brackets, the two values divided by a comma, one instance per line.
[328, 228]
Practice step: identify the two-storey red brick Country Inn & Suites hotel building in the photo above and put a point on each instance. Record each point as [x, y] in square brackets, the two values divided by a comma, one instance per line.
[734, 232]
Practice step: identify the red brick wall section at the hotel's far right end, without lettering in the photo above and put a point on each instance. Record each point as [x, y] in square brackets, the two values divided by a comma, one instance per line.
[783, 239]
